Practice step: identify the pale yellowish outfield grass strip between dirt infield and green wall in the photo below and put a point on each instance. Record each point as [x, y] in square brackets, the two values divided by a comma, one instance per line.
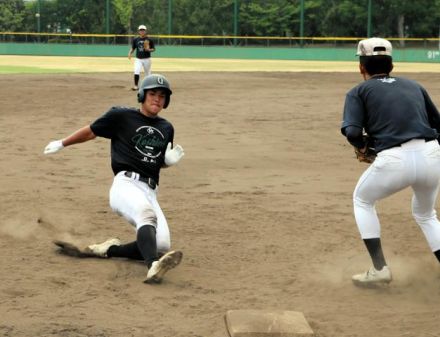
[13, 64]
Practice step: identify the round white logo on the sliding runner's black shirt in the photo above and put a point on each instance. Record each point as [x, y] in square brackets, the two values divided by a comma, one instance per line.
[149, 141]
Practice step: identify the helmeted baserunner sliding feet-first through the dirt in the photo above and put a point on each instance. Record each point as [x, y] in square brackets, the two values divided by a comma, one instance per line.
[141, 144]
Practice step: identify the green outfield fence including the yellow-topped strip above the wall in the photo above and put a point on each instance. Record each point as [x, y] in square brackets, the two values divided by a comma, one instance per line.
[228, 47]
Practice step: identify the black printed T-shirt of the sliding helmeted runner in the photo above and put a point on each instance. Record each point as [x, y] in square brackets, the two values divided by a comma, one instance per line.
[138, 142]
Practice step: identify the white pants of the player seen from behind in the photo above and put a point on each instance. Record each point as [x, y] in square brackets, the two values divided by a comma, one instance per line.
[416, 164]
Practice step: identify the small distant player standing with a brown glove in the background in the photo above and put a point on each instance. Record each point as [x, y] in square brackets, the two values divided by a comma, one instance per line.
[144, 46]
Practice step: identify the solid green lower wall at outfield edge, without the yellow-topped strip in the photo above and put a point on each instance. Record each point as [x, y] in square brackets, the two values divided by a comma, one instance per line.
[271, 53]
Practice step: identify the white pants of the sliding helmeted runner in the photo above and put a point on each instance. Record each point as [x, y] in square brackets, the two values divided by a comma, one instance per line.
[137, 203]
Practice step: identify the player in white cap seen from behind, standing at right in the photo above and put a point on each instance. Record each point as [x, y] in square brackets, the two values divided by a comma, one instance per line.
[400, 119]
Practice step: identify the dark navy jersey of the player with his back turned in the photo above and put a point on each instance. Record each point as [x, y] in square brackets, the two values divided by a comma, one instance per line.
[391, 110]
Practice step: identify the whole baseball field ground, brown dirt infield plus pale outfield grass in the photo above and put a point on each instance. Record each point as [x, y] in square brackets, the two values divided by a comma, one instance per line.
[260, 205]
